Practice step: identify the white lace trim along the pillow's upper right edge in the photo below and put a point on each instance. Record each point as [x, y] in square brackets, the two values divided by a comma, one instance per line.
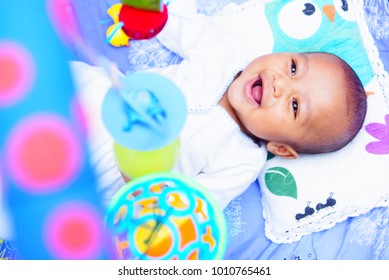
[371, 49]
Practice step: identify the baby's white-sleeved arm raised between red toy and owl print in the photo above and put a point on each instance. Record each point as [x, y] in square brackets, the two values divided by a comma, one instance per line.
[188, 33]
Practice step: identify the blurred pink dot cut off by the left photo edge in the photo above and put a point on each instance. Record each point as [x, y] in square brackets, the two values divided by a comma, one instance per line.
[17, 73]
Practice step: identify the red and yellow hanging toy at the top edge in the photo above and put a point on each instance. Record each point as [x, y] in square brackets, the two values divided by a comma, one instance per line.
[135, 20]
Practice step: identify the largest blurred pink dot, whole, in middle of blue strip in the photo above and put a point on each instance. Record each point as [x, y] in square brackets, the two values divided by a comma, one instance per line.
[43, 153]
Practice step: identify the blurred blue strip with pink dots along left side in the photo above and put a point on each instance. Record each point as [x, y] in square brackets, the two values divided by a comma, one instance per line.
[48, 182]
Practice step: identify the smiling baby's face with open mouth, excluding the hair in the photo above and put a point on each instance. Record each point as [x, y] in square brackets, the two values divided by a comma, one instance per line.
[284, 97]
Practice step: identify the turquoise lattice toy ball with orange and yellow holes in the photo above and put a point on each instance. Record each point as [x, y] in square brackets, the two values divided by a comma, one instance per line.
[165, 216]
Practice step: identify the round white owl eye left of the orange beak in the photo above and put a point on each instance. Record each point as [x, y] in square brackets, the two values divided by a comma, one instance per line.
[300, 19]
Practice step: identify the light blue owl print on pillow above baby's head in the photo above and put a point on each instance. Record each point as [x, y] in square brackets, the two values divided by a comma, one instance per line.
[321, 25]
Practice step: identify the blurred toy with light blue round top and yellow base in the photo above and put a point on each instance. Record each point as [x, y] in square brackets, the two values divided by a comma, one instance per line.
[144, 117]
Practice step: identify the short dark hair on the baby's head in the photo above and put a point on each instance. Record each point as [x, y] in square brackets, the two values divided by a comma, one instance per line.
[355, 114]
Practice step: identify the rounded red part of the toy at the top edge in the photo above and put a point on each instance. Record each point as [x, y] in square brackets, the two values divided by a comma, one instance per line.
[142, 24]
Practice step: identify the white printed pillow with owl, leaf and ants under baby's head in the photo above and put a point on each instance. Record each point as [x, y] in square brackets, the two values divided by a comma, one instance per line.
[314, 192]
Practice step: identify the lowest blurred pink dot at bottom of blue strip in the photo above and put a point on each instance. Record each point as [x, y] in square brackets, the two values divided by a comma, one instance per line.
[74, 230]
